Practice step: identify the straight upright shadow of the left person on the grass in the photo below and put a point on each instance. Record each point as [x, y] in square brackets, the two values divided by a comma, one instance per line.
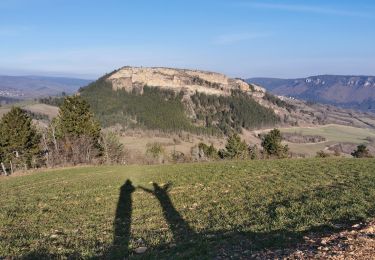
[122, 222]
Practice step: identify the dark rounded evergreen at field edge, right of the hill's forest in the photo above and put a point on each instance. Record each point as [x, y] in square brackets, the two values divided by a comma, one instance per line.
[272, 144]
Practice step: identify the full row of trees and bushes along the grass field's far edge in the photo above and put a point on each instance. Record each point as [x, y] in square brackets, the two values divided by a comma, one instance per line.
[75, 137]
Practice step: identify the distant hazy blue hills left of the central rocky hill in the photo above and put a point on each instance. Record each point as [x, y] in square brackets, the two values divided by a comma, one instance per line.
[29, 87]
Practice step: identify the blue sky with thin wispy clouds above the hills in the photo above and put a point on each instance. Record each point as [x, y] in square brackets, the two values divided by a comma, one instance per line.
[241, 38]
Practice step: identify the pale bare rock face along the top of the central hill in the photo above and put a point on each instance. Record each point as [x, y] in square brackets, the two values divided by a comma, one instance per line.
[189, 81]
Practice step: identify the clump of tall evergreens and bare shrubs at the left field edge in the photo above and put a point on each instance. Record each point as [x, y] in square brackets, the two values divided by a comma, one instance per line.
[73, 137]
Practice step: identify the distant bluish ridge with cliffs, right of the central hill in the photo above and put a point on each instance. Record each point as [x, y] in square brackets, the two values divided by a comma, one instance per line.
[355, 92]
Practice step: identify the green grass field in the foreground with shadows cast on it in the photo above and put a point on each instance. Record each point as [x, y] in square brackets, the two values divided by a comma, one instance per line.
[210, 209]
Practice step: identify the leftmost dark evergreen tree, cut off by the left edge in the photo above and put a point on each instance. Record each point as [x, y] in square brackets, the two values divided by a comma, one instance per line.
[19, 140]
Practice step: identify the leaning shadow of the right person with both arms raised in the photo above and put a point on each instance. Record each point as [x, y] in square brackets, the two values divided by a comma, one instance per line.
[179, 227]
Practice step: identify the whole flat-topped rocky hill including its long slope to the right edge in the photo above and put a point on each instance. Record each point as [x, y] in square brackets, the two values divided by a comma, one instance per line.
[174, 100]
